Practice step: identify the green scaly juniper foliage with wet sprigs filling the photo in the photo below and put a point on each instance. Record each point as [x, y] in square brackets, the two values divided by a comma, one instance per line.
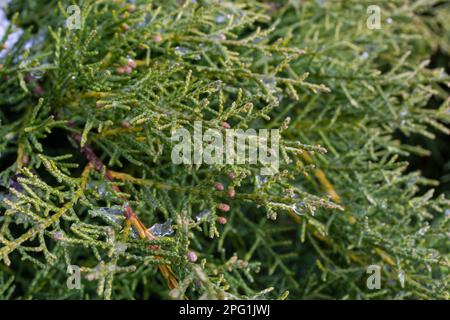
[86, 118]
